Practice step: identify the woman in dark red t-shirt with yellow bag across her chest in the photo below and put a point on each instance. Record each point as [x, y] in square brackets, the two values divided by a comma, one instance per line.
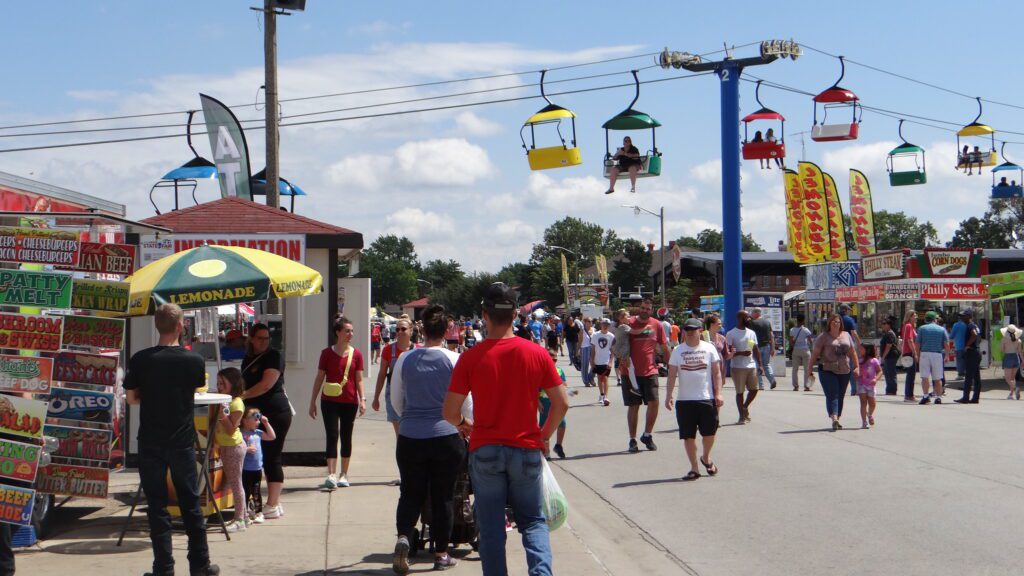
[339, 387]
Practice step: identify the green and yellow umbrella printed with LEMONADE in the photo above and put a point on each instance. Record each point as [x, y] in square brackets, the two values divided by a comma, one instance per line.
[211, 276]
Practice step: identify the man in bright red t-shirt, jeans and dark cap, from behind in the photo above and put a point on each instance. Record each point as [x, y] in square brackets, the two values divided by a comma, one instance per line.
[505, 376]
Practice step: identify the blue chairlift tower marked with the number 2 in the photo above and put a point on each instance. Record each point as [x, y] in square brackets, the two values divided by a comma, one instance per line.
[729, 71]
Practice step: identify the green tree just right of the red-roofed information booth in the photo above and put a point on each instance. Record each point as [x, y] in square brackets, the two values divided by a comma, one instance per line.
[392, 265]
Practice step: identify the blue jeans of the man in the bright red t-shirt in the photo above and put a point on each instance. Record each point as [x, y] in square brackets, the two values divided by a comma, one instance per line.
[503, 475]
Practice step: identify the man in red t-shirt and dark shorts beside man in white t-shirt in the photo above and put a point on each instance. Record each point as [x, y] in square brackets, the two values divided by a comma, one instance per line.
[647, 338]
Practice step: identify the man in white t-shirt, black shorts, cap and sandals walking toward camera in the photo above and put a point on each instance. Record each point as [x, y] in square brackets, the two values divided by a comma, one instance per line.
[697, 364]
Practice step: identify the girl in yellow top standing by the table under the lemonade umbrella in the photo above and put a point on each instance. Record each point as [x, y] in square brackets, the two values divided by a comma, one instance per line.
[233, 447]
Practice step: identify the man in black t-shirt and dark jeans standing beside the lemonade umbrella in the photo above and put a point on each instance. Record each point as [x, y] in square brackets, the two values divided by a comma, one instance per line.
[163, 381]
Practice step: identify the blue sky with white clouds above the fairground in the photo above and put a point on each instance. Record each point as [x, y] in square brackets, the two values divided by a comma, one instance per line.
[443, 178]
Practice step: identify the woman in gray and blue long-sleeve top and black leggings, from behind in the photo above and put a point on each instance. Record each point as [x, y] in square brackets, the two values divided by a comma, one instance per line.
[431, 451]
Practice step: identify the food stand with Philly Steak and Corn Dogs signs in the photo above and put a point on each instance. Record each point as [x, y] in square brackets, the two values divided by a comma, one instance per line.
[947, 281]
